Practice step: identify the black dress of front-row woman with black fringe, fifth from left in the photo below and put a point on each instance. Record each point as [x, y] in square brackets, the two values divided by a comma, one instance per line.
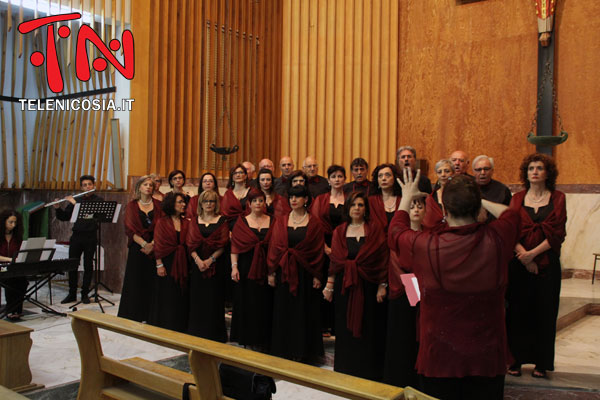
[296, 328]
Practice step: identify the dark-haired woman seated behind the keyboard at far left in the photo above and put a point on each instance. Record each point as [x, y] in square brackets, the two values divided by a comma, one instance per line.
[10, 243]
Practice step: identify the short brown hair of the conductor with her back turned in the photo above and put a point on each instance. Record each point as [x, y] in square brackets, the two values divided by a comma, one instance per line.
[461, 197]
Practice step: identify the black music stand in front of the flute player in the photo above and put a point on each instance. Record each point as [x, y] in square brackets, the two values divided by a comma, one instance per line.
[101, 212]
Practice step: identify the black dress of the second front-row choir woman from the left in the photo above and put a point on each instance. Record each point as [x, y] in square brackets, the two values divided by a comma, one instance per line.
[170, 305]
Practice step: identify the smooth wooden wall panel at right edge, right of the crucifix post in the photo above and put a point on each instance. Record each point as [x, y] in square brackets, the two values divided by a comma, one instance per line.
[578, 87]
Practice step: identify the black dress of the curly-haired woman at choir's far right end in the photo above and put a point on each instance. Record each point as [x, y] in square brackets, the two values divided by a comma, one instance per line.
[533, 306]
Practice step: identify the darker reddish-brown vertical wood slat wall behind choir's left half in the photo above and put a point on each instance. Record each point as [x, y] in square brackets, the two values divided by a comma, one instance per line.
[214, 67]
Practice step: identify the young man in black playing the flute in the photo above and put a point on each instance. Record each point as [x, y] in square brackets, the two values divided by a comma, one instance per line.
[83, 240]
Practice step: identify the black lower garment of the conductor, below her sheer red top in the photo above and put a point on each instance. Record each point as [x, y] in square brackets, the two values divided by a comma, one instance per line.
[467, 388]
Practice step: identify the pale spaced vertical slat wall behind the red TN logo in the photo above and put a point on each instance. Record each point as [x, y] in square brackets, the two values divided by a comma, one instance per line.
[60, 145]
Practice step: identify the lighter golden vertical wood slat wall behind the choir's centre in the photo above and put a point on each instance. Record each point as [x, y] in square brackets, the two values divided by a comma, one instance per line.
[340, 76]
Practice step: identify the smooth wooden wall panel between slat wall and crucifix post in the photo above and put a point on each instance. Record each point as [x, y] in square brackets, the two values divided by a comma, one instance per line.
[468, 79]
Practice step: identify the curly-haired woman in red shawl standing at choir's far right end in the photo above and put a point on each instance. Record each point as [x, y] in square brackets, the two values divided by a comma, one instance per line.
[535, 273]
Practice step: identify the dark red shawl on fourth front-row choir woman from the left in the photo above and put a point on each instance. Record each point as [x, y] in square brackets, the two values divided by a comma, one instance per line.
[243, 239]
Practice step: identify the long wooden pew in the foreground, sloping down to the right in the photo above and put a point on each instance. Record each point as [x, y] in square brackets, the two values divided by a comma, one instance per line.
[136, 378]
